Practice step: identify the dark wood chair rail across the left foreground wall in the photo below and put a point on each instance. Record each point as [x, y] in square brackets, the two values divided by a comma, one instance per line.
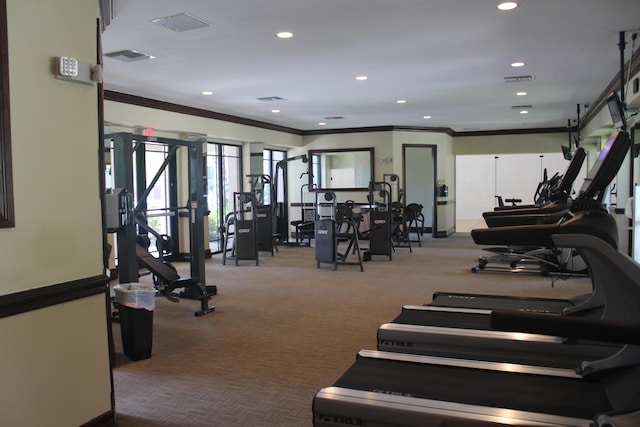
[46, 296]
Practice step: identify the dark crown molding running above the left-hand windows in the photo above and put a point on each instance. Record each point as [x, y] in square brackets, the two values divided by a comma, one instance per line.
[191, 111]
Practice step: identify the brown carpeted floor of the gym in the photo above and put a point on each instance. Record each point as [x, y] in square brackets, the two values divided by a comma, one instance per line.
[284, 329]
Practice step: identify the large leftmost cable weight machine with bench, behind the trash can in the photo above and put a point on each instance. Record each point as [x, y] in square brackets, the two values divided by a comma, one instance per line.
[132, 227]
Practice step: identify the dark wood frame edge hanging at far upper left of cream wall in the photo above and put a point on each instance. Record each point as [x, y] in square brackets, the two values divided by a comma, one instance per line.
[7, 219]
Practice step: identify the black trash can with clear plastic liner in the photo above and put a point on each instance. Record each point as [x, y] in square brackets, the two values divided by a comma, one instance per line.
[136, 304]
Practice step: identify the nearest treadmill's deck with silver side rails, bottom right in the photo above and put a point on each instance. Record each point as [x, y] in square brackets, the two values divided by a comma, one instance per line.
[404, 390]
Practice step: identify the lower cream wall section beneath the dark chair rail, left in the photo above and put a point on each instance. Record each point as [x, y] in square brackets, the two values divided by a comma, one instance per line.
[54, 367]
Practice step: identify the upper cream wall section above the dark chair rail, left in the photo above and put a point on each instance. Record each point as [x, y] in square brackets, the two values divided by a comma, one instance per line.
[54, 144]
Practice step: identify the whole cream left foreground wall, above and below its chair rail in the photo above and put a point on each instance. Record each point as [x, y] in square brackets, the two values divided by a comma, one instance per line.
[55, 361]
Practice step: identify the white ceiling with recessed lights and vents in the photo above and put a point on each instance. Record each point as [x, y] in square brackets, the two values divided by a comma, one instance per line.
[447, 59]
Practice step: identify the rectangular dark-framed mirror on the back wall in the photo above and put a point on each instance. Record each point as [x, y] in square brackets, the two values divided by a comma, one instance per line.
[341, 169]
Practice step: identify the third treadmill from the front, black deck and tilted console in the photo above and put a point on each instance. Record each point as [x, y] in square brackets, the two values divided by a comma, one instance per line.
[588, 216]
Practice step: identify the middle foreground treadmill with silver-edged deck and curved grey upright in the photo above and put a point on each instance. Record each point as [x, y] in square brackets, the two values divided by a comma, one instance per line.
[471, 334]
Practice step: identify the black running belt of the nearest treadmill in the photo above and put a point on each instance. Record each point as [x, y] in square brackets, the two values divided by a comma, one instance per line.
[569, 397]
